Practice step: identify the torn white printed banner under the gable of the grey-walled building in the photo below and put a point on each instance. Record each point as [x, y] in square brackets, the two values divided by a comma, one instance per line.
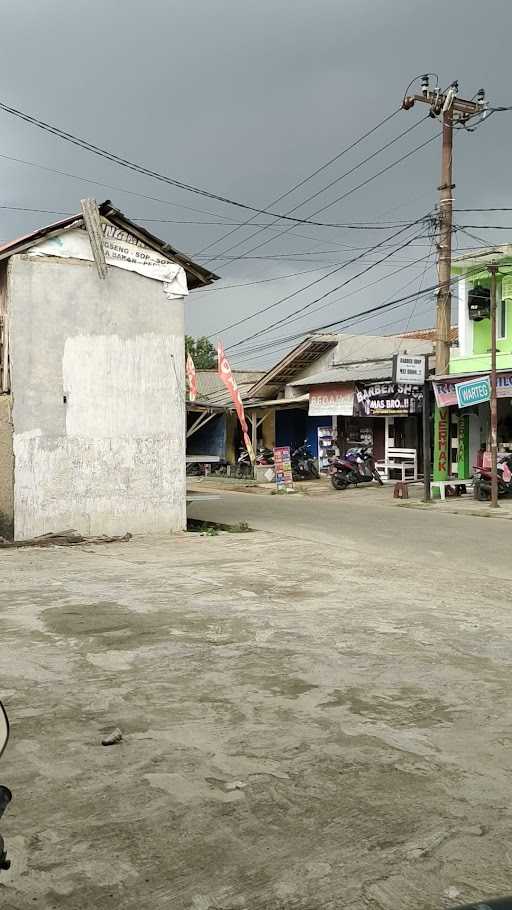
[122, 250]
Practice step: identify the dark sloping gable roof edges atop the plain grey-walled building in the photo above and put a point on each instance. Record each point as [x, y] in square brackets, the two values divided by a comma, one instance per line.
[197, 276]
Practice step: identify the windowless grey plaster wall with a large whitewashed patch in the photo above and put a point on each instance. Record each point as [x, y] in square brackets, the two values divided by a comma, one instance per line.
[98, 400]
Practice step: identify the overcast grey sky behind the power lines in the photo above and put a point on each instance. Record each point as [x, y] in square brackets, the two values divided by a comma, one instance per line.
[245, 98]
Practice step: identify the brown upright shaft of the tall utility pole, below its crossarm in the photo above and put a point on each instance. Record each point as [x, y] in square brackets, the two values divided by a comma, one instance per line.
[444, 297]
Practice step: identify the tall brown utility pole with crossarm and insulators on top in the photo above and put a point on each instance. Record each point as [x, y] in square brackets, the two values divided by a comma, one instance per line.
[452, 110]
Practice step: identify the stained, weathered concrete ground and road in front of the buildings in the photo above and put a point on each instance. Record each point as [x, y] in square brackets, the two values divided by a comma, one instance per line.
[308, 723]
